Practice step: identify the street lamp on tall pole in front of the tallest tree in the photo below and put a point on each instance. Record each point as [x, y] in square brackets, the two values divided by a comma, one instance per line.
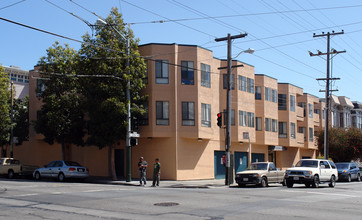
[128, 142]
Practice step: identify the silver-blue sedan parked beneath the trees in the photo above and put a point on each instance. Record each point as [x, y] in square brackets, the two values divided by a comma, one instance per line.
[62, 170]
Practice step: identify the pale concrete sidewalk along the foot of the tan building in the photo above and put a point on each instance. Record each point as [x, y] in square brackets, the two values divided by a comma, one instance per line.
[212, 183]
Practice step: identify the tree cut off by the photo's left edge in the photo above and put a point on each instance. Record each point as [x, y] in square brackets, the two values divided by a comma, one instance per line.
[4, 110]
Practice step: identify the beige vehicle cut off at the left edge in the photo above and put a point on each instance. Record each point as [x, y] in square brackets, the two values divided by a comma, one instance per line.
[12, 167]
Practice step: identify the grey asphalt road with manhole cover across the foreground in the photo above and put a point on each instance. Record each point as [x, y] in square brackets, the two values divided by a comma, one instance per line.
[27, 199]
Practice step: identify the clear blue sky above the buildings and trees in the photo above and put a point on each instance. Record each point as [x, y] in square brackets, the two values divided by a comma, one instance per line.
[280, 31]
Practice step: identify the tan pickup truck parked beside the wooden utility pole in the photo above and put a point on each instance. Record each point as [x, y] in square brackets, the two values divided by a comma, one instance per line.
[261, 174]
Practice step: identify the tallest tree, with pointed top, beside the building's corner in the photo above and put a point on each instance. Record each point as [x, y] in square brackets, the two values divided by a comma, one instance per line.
[106, 97]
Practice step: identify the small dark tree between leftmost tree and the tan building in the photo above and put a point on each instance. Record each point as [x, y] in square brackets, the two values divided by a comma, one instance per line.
[21, 119]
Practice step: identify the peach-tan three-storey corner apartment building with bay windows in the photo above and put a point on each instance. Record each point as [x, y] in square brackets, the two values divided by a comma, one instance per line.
[186, 91]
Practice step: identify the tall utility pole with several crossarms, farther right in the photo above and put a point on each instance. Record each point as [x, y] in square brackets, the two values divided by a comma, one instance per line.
[327, 91]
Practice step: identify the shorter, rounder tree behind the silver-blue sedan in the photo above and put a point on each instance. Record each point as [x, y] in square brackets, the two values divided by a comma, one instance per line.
[61, 117]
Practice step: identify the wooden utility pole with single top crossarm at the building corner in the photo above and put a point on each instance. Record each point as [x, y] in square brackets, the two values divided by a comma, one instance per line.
[228, 171]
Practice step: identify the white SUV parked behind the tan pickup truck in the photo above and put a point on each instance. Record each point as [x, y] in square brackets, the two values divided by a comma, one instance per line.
[312, 172]
